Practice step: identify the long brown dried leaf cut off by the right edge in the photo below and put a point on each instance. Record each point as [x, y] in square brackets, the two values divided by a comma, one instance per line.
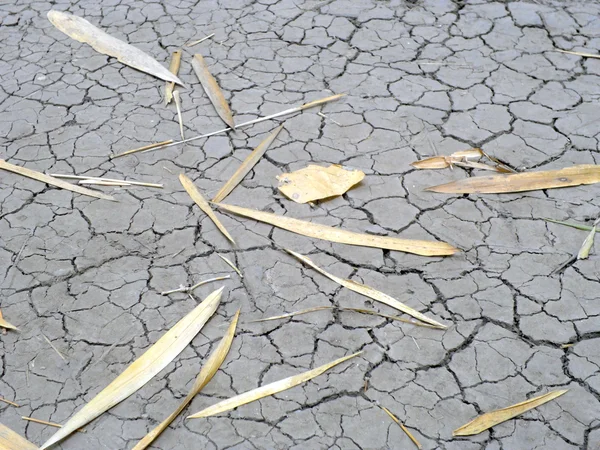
[521, 182]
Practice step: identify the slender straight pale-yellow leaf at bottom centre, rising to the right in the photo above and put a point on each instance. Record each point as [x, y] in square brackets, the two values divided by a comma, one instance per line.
[269, 389]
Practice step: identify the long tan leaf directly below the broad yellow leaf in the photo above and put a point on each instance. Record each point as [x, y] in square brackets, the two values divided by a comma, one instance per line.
[315, 230]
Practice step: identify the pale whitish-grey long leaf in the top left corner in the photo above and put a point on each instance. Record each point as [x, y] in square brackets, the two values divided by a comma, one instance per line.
[81, 30]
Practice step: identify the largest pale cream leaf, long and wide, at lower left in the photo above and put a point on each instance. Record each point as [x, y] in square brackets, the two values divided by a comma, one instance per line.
[155, 359]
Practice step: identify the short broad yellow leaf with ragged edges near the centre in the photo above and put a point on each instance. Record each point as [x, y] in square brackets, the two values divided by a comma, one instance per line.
[316, 182]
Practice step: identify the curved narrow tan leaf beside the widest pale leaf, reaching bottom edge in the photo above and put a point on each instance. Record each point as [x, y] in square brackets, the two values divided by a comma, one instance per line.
[208, 371]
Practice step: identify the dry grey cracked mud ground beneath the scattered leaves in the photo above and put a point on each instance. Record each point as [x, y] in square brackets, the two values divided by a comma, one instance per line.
[422, 77]
